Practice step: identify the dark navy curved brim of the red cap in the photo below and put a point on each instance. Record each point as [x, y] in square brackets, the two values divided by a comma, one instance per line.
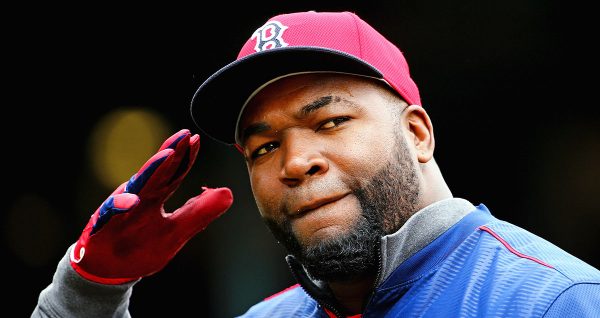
[218, 101]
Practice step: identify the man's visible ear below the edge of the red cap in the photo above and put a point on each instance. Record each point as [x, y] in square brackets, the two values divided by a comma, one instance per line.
[420, 132]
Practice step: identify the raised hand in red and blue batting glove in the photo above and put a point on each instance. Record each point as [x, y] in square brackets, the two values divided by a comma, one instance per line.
[131, 235]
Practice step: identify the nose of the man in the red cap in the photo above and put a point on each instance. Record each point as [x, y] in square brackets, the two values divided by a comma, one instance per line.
[302, 159]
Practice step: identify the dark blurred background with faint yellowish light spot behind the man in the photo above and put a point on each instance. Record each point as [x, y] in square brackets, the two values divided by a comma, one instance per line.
[93, 92]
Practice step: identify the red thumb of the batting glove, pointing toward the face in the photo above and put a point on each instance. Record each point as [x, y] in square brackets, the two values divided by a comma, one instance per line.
[202, 209]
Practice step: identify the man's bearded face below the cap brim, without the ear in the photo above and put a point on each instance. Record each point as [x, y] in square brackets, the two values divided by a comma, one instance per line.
[329, 168]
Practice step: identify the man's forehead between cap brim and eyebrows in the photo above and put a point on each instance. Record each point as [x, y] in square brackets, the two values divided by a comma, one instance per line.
[297, 90]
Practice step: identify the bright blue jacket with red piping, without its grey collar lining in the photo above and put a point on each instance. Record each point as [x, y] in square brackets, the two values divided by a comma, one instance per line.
[479, 267]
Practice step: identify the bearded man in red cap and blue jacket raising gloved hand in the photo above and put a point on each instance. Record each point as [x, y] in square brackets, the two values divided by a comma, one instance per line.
[339, 152]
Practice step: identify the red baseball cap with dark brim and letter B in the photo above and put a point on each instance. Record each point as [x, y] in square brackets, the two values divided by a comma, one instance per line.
[293, 43]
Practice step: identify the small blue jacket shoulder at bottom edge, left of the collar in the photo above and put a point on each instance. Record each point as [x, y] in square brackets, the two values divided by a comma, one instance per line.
[290, 302]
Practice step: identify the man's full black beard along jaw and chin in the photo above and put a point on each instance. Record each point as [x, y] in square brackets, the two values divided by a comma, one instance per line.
[387, 200]
